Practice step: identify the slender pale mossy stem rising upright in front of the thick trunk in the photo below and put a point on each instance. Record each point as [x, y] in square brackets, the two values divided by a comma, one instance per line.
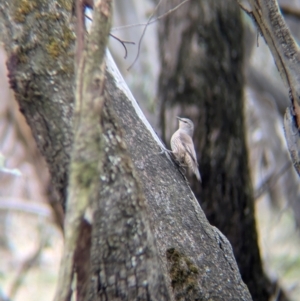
[85, 166]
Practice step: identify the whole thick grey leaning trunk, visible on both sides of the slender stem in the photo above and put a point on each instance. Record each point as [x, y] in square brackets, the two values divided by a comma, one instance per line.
[195, 258]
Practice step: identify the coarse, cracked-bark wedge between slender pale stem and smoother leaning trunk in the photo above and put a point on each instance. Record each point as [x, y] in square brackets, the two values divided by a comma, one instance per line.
[124, 258]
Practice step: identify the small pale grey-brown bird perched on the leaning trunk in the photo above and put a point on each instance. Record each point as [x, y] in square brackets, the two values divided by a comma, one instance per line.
[182, 146]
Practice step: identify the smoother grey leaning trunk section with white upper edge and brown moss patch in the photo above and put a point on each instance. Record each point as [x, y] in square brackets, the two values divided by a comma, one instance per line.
[190, 250]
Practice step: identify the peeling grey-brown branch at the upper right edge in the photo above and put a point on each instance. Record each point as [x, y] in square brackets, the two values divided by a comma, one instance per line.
[286, 54]
